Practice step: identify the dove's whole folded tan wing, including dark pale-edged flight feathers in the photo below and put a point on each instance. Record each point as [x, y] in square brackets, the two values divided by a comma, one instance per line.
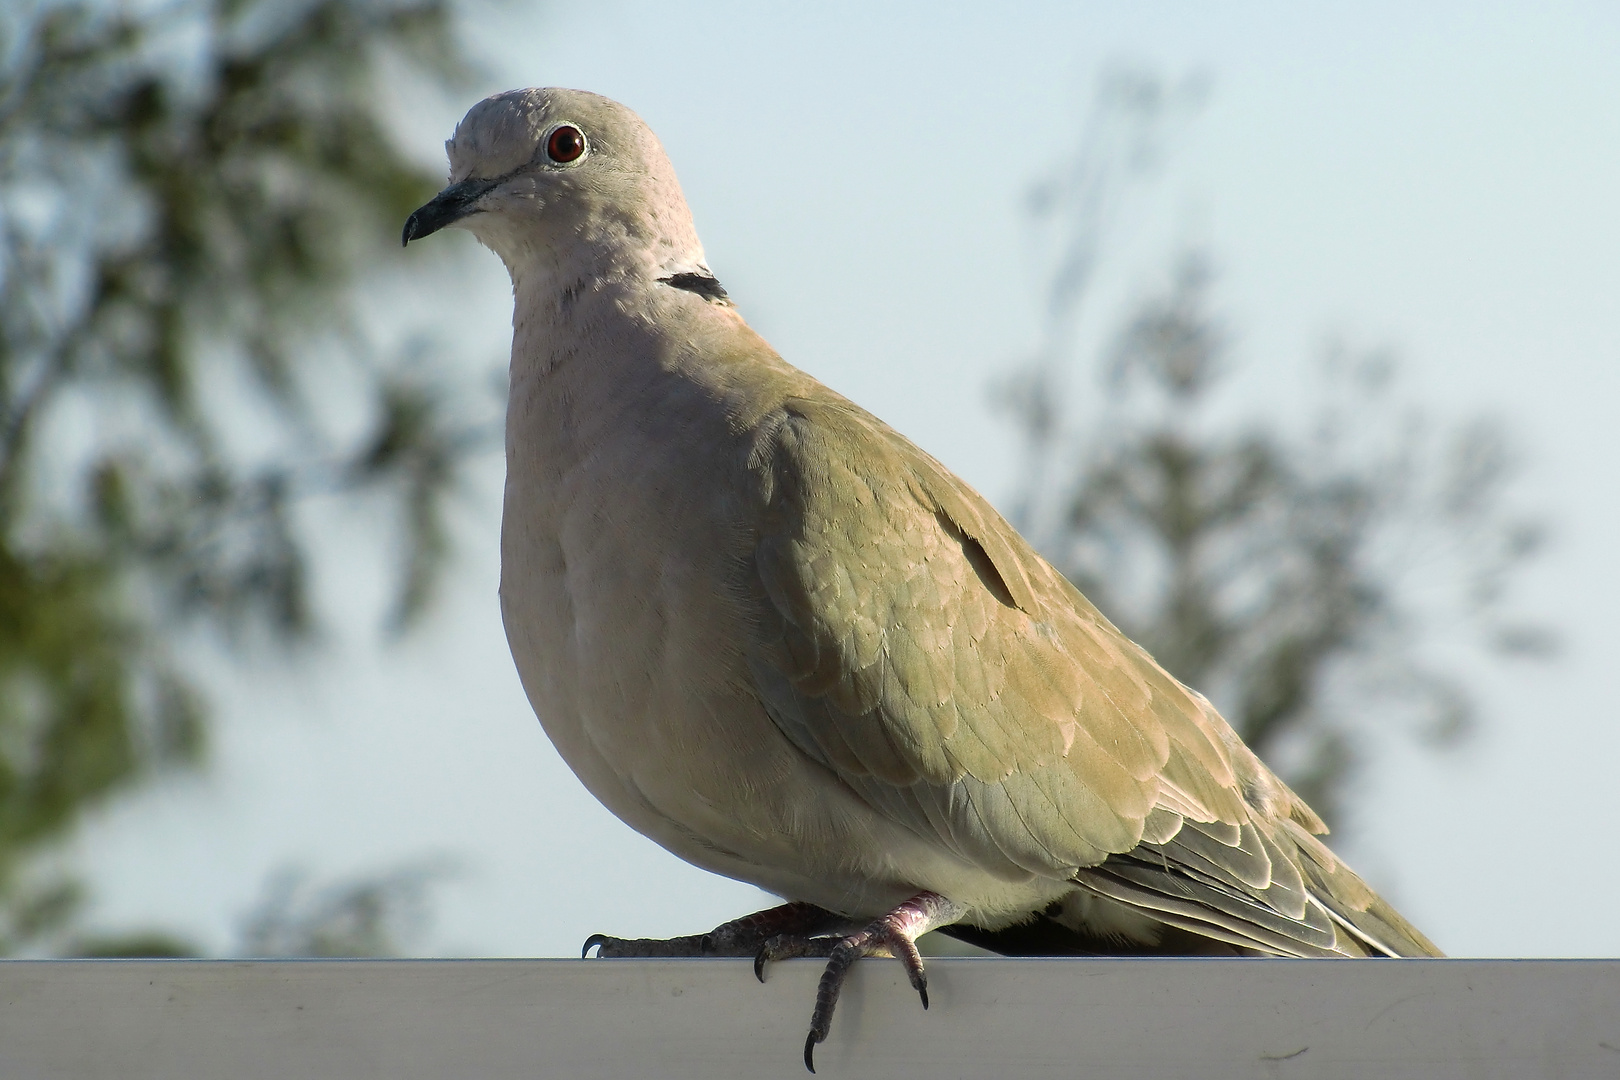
[918, 647]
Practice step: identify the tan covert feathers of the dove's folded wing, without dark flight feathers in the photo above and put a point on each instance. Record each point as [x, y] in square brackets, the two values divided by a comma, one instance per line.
[918, 642]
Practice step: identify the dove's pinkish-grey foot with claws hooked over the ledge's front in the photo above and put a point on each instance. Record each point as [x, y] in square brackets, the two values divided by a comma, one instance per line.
[892, 935]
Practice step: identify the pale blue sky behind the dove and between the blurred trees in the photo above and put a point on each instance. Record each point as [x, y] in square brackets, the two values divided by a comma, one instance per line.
[1435, 177]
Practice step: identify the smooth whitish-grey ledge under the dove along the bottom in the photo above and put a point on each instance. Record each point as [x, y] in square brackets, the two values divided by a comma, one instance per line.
[709, 1019]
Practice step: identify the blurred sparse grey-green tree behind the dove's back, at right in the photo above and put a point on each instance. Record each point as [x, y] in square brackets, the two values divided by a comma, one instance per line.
[1298, 577]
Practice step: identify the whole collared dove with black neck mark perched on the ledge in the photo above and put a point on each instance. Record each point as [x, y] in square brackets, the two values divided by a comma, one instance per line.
[780, 640]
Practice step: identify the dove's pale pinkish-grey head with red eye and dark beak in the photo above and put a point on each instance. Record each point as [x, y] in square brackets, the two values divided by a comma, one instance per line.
[548, 176]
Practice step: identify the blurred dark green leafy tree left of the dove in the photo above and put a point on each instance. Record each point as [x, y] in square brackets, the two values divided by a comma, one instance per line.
[189, 197]
